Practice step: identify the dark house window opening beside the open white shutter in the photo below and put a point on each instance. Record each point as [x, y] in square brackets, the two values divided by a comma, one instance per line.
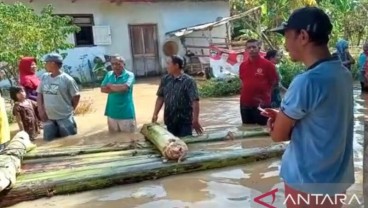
[85, 36]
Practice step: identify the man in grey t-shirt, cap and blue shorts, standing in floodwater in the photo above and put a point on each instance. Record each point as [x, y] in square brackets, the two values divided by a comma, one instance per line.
[58, 97]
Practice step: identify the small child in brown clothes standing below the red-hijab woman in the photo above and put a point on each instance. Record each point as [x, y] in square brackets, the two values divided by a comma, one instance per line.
[25, 112]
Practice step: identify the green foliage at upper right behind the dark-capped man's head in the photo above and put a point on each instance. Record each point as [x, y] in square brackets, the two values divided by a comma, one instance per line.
[348, 18]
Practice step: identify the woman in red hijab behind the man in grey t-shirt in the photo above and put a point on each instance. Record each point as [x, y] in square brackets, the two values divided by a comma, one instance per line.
[28, 77]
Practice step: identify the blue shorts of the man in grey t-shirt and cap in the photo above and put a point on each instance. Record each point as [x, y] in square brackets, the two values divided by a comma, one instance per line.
[53, 129]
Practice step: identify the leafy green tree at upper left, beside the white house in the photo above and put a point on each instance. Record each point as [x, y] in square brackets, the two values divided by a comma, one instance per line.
[23, 32]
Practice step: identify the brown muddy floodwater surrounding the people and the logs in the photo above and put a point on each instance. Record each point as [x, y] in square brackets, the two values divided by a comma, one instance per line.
[220, 188]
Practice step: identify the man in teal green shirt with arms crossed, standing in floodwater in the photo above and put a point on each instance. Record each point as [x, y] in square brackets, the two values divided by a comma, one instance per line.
[118, 84]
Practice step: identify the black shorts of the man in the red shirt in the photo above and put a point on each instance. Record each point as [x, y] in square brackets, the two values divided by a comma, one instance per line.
[251, 115]
